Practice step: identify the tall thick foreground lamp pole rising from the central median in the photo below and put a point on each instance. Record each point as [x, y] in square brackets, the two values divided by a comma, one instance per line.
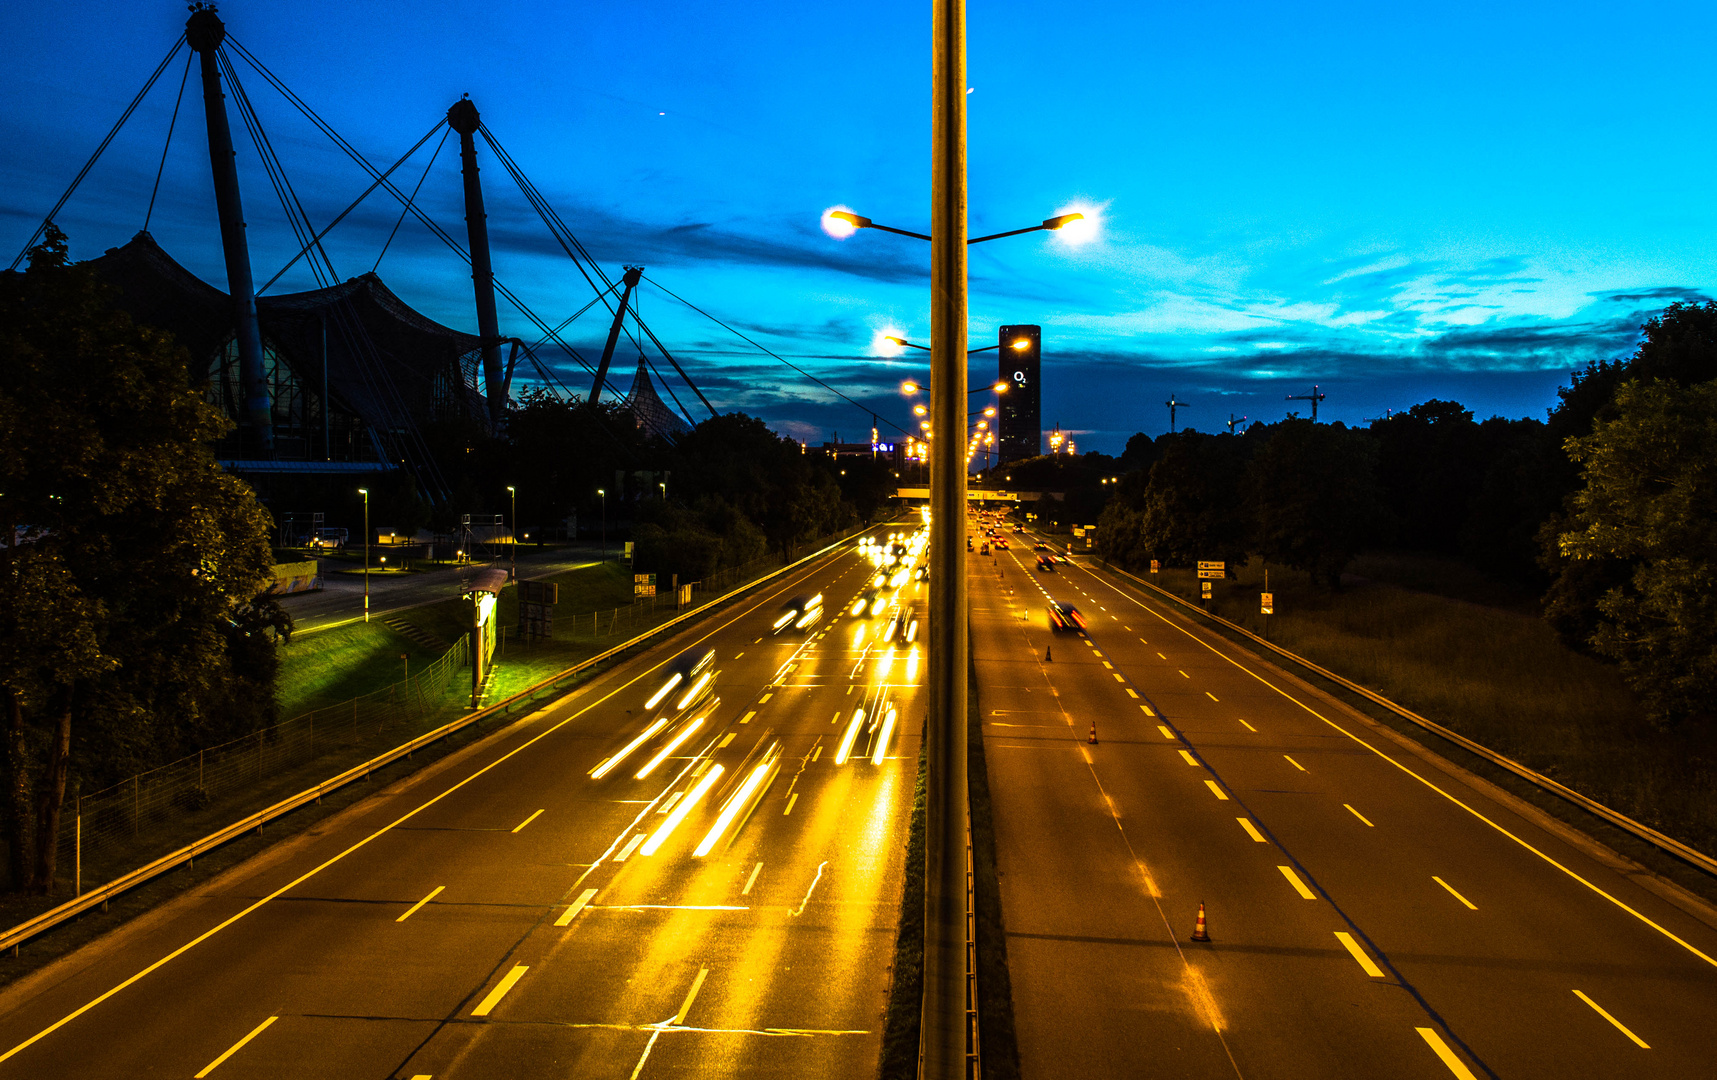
[943, 1028]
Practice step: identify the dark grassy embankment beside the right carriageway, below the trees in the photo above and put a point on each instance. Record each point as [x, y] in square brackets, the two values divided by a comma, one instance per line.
[1477, 657]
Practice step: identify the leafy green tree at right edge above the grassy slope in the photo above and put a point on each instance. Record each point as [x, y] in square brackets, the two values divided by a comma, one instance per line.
[1649, 501]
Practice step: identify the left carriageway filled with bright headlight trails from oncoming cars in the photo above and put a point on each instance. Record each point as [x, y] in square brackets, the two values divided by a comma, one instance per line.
[506, 914]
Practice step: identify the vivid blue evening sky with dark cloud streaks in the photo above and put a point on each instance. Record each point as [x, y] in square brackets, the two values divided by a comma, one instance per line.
[1436, 200]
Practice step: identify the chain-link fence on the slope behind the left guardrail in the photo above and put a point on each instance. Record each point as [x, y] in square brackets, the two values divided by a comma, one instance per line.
[344, 736]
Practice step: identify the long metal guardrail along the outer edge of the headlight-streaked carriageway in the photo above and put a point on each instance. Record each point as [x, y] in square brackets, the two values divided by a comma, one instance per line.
[185, 856]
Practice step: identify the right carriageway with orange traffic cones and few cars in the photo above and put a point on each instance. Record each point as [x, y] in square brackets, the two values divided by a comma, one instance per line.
[1373, 911]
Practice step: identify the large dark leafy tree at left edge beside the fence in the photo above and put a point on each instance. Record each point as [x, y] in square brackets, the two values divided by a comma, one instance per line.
[130, 562]
